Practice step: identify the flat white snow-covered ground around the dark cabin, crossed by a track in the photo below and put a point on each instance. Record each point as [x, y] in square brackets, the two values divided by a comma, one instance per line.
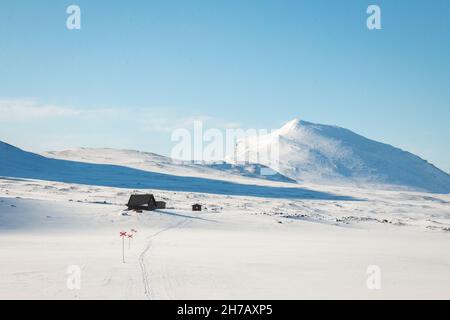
[240, 247]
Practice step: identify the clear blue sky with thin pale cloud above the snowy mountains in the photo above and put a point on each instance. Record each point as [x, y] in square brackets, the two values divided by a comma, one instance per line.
[138, 69]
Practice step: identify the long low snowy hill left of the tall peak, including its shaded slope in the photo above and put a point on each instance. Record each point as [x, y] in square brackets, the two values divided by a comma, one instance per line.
[134, 169]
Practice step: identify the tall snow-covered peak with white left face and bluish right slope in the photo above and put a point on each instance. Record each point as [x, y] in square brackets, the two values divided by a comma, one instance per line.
[327, 154]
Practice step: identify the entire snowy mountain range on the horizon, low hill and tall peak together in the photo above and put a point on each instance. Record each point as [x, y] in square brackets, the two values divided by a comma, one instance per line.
[307, 152]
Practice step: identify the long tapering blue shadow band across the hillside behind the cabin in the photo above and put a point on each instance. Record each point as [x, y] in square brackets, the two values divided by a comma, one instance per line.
[42, 168]
